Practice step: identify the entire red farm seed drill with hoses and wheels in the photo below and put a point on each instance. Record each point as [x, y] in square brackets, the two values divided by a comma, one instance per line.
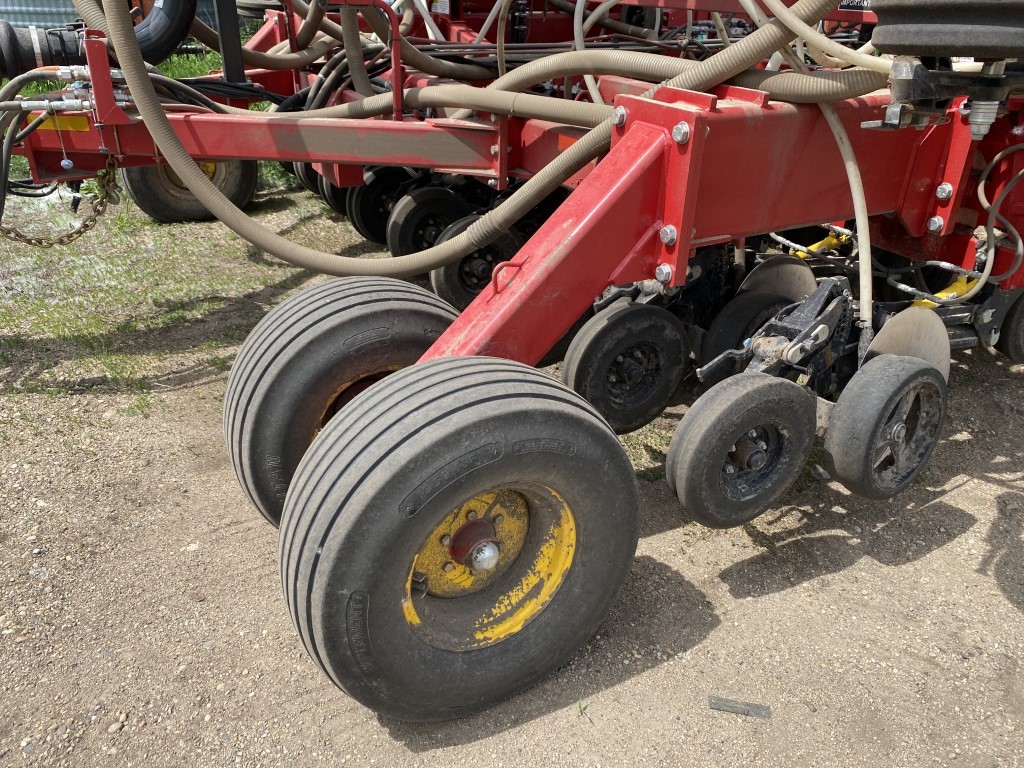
[812, 204]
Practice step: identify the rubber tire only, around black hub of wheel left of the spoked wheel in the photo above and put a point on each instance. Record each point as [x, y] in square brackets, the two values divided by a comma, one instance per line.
[715, 422]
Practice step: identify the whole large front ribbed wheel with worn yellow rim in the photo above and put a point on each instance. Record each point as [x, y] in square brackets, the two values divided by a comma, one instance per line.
[456, 453]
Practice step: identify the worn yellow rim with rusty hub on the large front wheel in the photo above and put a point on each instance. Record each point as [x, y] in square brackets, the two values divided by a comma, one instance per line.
[455, 607]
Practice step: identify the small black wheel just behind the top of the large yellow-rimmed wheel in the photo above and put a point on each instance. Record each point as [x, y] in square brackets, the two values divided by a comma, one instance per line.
[627, 362]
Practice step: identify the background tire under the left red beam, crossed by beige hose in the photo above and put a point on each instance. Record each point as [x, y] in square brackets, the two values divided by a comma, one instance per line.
[160, 198]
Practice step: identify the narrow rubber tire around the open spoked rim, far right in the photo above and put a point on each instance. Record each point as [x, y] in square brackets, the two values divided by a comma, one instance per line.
[861, 414]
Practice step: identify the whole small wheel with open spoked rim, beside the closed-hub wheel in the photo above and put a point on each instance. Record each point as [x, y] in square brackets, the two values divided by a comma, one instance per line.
[885, 425]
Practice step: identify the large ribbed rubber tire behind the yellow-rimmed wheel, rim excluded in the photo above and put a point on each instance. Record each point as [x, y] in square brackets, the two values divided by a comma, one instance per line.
[290, 367]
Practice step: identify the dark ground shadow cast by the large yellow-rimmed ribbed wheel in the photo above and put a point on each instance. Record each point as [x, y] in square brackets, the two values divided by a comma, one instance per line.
[658, 616]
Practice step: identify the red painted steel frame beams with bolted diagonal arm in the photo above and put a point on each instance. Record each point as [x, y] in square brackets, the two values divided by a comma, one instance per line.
[750, 166]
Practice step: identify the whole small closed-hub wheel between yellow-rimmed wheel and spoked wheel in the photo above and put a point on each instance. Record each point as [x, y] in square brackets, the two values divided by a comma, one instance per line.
[740, 448]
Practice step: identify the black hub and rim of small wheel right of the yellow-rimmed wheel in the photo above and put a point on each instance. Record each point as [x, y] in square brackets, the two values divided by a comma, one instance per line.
[755, 461]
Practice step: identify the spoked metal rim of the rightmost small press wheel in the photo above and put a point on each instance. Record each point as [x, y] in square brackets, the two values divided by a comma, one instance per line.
[905, 441]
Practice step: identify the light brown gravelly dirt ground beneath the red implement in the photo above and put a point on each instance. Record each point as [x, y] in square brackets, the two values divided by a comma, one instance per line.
[142, 621]
